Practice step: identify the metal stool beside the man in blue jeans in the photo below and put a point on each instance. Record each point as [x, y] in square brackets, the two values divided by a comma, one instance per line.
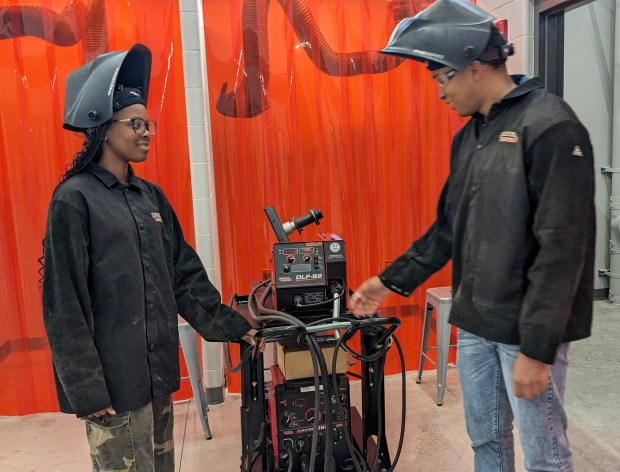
[439, 299]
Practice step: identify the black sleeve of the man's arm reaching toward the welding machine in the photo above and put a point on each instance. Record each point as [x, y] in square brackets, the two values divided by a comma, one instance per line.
[426, 255]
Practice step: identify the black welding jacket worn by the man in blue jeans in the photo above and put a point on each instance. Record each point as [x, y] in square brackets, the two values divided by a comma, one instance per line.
[516, 216]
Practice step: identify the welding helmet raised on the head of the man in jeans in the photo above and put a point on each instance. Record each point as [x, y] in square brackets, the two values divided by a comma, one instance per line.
[450, 33]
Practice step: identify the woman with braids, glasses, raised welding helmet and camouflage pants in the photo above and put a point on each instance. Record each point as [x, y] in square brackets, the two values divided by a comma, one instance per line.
[117, 271]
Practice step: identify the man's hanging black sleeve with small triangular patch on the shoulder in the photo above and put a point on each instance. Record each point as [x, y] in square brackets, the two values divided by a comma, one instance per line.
[561, 184]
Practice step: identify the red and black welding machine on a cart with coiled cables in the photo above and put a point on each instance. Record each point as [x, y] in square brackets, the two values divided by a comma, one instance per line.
[297, 415]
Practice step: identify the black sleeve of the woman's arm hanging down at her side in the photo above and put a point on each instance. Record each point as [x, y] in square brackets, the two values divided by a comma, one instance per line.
[67, 311]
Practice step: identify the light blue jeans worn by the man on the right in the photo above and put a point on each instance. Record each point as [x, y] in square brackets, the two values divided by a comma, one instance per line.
[485, 373]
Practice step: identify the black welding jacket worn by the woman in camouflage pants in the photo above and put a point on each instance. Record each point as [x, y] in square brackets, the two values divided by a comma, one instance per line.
[117, 272]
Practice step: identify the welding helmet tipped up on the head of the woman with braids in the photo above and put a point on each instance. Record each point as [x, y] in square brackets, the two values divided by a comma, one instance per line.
[90, 89]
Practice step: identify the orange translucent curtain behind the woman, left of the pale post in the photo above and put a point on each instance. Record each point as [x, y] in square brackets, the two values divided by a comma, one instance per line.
[34, 150]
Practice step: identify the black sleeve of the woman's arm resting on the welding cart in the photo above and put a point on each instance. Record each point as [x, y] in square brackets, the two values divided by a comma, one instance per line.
[198, 301]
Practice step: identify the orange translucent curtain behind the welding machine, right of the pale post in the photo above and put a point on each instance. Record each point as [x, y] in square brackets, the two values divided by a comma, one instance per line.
[371, 150]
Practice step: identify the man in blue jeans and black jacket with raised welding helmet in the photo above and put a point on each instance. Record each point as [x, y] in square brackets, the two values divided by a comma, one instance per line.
[516, 216]
